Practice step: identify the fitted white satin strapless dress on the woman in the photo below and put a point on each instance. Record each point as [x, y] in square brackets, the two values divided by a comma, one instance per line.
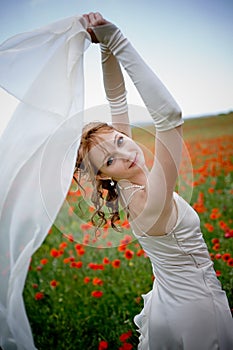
[187, 308]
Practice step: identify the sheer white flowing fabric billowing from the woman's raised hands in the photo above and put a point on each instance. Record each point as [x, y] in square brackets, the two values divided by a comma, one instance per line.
[44, 70]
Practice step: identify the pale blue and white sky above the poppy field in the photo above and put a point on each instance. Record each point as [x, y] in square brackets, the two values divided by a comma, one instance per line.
[188, 43]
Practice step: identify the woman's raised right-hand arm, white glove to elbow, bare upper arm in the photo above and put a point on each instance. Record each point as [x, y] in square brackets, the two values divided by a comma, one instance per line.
[166, 115]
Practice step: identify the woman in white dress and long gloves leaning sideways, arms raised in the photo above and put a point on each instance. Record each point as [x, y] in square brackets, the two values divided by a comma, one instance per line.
[186, 308]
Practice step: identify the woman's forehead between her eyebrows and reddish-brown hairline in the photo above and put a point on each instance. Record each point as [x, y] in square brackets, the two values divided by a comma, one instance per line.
[105, 144]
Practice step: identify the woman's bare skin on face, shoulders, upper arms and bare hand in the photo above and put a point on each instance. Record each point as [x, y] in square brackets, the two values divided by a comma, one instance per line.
[152, 209]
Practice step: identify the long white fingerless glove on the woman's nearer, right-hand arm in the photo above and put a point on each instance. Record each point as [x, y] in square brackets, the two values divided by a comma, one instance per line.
[159, 102]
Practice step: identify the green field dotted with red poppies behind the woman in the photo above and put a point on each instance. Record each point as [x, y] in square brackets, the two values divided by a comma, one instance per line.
[84, 288]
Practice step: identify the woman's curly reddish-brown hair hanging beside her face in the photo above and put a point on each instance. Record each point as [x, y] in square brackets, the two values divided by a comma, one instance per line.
[91, 136]
